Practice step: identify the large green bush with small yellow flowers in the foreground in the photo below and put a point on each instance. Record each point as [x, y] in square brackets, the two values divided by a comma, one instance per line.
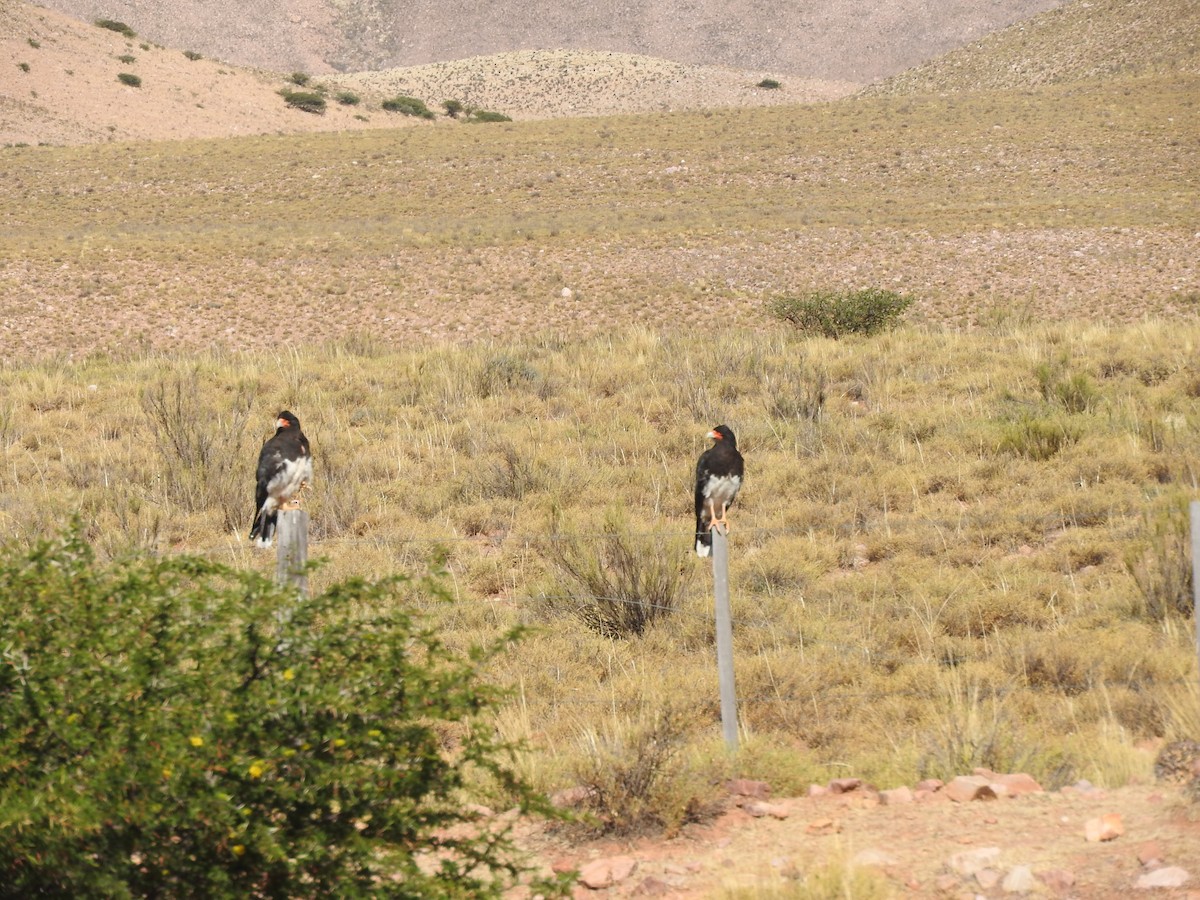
[175, 728]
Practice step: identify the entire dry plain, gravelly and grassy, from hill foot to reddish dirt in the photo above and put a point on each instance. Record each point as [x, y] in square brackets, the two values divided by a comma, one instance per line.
[963, 539]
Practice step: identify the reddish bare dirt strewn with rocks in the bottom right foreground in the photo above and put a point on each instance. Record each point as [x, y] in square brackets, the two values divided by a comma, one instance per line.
[921, 849]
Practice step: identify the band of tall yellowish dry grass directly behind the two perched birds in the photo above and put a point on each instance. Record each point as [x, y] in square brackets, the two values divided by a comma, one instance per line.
[950, 550]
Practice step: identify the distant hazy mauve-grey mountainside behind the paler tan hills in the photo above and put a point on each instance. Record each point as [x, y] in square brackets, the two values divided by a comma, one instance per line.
[836, 40]
